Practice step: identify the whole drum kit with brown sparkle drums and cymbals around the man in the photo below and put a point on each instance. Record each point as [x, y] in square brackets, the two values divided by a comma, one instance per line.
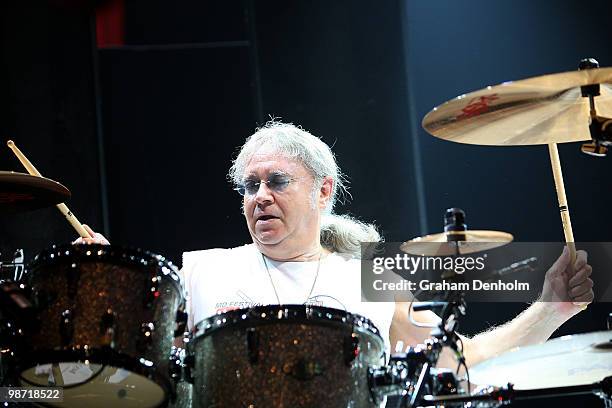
[101, 322]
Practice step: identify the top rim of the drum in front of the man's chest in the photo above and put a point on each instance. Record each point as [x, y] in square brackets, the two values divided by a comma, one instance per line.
[326, 315]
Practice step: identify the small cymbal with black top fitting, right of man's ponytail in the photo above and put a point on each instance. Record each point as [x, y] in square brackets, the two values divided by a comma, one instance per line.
[440, 245]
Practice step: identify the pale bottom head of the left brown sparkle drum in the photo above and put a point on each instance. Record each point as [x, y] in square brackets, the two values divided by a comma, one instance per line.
[94, 385]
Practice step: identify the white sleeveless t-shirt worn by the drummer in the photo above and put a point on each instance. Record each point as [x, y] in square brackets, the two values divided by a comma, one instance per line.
[219, 280]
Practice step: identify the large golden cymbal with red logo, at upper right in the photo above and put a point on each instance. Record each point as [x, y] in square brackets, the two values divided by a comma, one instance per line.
[540, 110]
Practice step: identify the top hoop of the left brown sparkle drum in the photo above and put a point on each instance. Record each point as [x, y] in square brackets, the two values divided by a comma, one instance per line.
[121, 255]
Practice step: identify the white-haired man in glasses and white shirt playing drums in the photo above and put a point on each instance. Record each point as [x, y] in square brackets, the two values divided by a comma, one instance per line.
[304, 253]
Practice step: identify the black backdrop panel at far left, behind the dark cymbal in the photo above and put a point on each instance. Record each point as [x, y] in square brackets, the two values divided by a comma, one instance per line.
[48, 106]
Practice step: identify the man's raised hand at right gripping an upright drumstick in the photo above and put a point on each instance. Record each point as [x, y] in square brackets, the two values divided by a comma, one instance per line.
[569, 286]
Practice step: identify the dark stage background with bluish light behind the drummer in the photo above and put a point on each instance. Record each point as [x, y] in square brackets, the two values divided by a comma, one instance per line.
[142, 124]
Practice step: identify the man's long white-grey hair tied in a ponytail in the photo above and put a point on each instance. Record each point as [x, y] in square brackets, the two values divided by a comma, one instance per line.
[339, 233]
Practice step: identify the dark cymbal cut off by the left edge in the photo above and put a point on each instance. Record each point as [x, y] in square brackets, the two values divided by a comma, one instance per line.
[23, 192]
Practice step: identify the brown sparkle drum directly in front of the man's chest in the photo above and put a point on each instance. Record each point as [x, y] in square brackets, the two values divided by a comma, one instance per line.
[284, 356]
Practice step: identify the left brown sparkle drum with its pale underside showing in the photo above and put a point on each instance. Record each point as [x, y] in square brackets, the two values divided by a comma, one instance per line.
[106, 323]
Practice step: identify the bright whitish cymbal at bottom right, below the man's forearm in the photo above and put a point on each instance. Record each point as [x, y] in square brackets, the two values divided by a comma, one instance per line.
[565, 361]
